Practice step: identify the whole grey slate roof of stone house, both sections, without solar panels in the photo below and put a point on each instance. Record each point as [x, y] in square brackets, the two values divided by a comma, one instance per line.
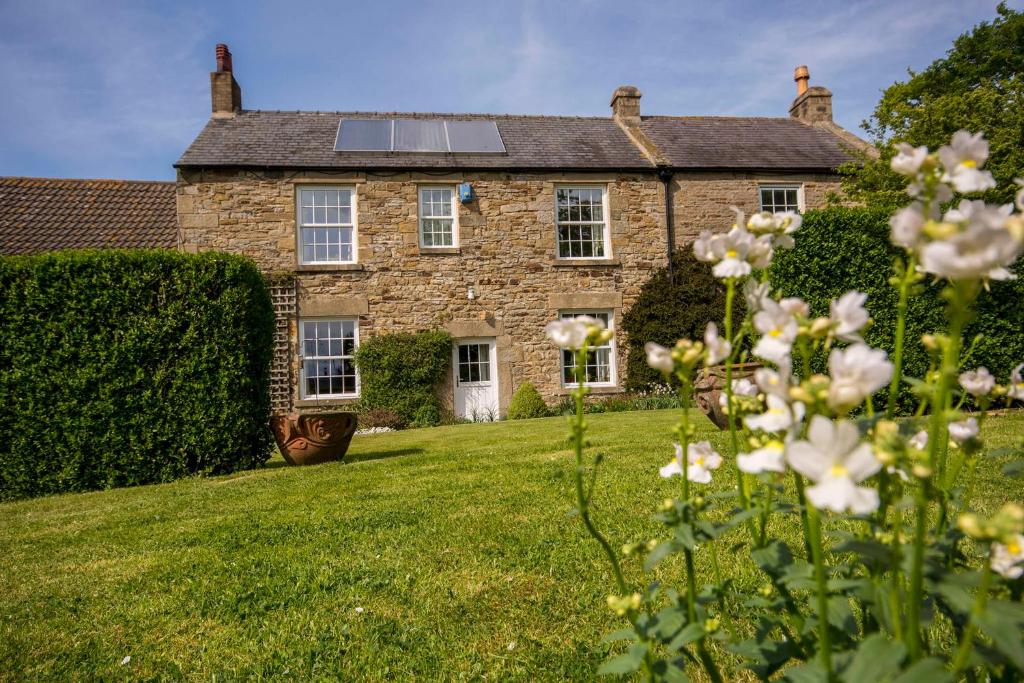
[306, 140]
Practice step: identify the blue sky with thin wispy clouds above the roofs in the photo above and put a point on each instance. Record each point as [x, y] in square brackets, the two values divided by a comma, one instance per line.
[100, 89]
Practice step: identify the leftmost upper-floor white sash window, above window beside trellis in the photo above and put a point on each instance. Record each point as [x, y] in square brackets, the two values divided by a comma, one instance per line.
[327, 228]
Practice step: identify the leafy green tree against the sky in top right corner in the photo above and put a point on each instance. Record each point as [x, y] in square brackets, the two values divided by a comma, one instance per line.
[978, 87]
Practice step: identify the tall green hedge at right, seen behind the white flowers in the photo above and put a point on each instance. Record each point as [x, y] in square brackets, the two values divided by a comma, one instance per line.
[842, 249]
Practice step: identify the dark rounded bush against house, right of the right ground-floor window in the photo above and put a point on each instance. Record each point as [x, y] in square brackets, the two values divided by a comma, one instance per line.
[667, 312]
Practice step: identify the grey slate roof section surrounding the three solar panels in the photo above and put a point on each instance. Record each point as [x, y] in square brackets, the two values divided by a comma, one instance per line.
[306, 140]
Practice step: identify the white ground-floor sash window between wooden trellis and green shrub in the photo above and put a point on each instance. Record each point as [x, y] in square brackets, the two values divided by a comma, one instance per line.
[328, 358]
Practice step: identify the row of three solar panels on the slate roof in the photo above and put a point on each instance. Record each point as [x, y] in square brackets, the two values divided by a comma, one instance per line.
[419, 136]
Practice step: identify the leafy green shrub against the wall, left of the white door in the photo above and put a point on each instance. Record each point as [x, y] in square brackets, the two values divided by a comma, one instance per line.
[401, 372]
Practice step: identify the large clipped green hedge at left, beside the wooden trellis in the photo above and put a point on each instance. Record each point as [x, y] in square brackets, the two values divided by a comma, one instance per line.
[122, 368]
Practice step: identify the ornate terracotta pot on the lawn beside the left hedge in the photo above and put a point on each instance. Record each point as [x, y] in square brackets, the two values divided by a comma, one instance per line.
[315, 439]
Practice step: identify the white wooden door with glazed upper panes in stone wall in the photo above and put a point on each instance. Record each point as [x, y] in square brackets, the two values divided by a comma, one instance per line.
[475, 363]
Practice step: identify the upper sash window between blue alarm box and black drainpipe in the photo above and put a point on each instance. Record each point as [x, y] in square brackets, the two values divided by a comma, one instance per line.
[582, 220]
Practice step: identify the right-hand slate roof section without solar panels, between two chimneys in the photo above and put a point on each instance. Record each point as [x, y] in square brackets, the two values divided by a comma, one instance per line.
[698, 143]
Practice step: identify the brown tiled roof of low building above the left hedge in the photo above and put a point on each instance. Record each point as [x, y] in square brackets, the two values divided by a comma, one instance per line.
[46, 215]
